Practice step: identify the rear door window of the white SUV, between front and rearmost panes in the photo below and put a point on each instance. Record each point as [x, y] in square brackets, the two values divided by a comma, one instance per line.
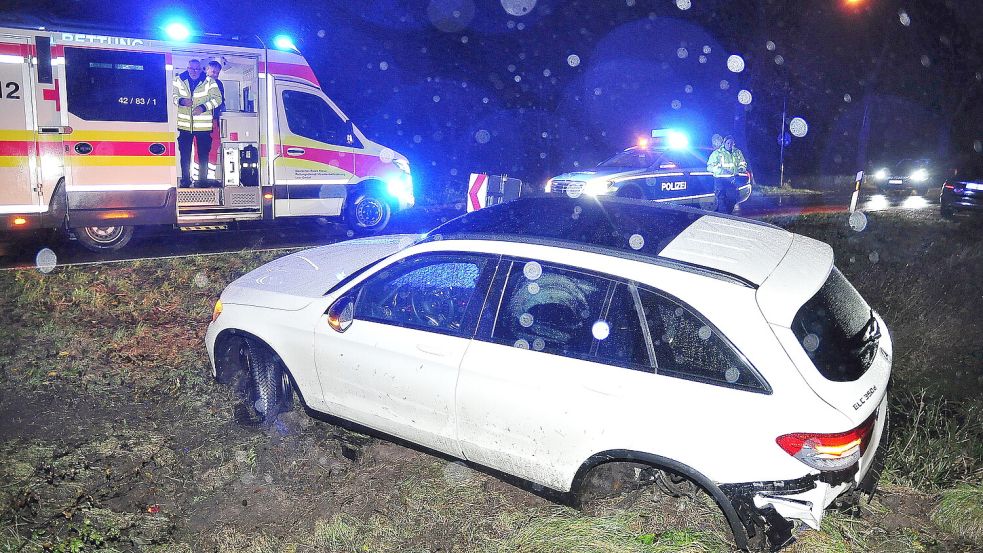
[550, 309]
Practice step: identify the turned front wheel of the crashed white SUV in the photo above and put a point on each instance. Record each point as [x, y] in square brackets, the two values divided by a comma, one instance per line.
[269, 391]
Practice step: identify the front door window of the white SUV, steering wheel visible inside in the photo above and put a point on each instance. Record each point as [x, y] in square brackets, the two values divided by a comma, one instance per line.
[437, 293]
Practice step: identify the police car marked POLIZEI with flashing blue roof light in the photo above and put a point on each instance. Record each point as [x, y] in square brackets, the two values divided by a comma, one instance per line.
[649, 172]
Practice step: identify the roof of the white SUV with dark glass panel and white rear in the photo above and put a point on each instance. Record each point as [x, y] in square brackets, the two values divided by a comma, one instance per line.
[725, 247]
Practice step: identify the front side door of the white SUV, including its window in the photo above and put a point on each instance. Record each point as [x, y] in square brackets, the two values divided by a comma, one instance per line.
[395, 368]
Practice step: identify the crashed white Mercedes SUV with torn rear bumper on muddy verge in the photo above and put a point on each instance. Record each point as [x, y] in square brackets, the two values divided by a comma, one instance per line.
[549, 337]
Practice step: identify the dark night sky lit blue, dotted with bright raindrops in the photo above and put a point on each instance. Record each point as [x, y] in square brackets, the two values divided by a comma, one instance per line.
[535, 88]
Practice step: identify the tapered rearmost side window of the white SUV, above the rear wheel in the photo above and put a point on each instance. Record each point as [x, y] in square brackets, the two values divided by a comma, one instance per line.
[687, 347]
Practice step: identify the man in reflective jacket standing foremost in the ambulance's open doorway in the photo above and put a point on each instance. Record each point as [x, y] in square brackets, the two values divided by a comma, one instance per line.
[195, 95]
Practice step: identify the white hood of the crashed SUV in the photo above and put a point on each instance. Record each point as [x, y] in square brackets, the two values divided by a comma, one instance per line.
[293, 281]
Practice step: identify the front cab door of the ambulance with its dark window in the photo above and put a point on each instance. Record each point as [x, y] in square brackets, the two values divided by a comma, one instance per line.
[314, 160]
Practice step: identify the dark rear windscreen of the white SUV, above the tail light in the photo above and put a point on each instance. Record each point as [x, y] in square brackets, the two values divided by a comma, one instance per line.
[838, 330]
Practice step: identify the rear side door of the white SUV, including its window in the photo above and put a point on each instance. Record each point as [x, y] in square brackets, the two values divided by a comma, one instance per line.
[531, 384]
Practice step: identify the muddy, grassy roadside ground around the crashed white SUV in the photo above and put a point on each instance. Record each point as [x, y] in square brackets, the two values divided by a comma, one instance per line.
[114, 437]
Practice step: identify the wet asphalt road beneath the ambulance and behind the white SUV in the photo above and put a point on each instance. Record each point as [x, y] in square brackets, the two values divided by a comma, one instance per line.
[155, 242]
